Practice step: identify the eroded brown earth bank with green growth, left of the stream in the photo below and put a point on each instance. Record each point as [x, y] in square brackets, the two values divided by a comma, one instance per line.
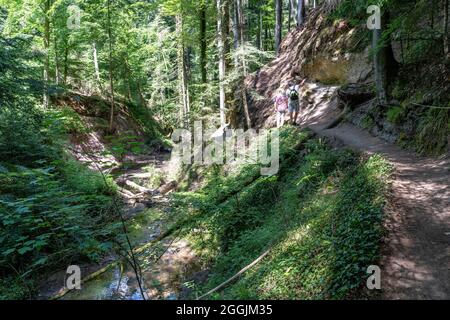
[135, 131]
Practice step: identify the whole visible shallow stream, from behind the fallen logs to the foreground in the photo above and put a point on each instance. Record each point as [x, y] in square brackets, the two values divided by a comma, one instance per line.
[164, 265]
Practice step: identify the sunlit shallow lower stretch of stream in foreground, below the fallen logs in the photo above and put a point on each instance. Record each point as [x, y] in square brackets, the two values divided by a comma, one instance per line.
[164, 265]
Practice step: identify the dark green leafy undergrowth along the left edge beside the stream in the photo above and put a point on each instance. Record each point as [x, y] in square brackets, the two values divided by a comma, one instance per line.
[54, 211]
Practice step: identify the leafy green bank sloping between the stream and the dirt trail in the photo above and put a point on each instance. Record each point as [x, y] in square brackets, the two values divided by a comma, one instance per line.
[321, 216]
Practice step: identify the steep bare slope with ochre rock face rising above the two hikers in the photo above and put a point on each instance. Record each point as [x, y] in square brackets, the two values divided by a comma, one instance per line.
[323, 51]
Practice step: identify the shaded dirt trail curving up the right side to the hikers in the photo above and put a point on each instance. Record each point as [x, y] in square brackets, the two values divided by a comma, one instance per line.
[416, 252]
